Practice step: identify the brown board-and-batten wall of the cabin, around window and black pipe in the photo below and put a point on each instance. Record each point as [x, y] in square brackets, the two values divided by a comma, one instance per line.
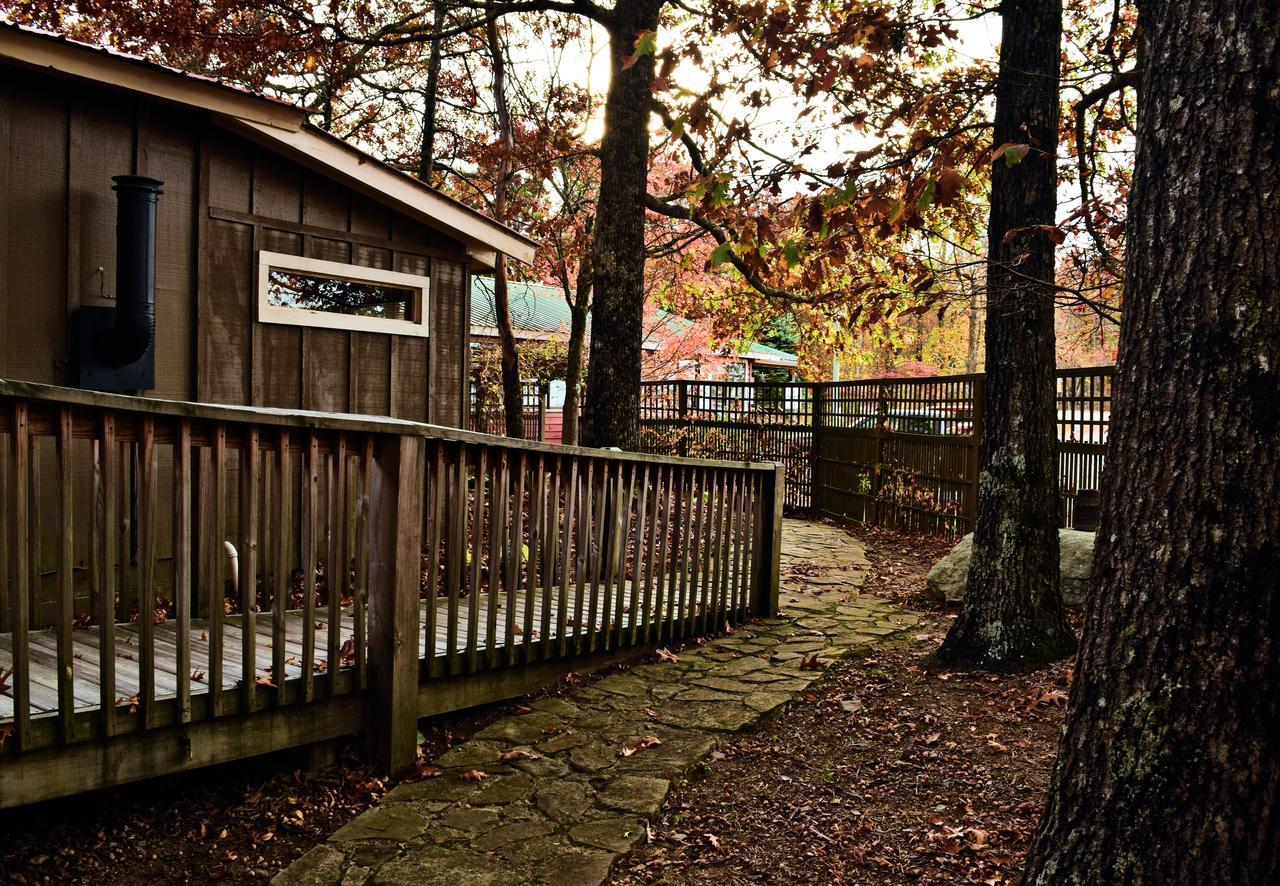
[225, 199]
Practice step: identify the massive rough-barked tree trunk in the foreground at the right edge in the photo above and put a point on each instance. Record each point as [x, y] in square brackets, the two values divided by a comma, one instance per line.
[1169, 771]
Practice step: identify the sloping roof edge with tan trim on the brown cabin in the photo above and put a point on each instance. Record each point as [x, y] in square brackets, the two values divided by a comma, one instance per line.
[276, 125]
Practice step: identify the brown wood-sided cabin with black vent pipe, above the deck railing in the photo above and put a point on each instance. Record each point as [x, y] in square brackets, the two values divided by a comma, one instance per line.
[241, 257]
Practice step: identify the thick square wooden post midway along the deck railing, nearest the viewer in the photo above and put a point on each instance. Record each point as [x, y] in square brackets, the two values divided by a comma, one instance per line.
[395, 579]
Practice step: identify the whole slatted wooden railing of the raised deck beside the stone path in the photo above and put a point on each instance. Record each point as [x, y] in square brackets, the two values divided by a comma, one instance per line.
[186, 584]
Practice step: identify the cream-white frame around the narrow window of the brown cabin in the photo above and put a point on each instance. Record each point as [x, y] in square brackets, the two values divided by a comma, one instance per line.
[339, 271]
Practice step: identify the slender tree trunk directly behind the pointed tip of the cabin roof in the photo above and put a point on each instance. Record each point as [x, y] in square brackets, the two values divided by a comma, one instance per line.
[513, 396]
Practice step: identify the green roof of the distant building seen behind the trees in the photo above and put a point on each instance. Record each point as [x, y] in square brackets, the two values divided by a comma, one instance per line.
[540, 312]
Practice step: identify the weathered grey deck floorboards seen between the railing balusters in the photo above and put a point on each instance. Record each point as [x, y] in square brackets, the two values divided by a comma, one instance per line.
[86, 643]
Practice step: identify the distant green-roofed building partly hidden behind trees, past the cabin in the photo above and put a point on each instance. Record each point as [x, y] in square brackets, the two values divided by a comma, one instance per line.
[675, 348]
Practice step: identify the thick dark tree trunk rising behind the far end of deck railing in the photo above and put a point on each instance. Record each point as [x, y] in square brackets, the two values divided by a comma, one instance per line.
[612, 414]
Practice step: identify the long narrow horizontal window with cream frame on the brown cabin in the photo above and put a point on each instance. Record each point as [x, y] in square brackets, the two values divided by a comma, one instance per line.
[332, 295]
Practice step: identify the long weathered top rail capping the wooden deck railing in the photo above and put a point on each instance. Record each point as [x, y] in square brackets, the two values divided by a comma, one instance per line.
[313, 421]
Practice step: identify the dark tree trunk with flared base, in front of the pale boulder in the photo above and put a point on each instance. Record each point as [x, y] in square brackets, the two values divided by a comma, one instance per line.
[1013, 614]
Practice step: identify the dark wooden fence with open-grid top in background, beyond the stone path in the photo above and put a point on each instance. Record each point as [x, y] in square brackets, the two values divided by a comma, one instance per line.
[897, 453]
